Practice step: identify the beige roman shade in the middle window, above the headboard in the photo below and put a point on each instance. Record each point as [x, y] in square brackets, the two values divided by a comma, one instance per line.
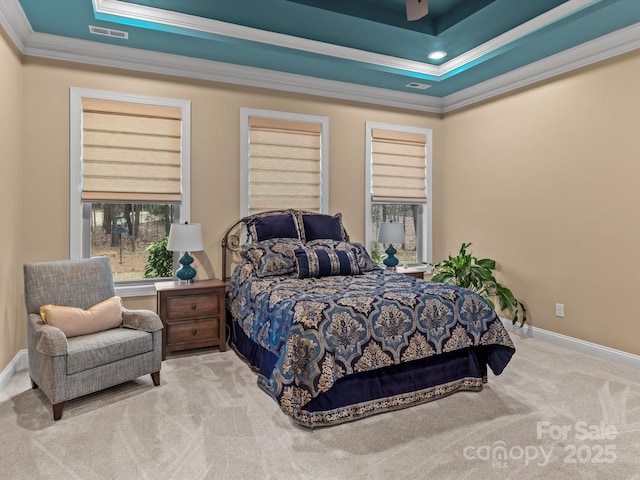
[284, 164]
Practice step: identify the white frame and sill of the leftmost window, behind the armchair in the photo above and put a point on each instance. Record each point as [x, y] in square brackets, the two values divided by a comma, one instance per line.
[79, 212]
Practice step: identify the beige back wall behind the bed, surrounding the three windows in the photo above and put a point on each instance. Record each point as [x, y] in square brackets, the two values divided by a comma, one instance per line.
[215, 152]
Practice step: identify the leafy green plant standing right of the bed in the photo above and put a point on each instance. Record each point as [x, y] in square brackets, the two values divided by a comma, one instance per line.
[467, 271]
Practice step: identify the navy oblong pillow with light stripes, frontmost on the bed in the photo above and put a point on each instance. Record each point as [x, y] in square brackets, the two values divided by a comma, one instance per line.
[324, 262]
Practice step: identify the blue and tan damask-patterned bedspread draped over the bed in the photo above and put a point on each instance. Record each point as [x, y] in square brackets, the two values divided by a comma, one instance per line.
[322, 329]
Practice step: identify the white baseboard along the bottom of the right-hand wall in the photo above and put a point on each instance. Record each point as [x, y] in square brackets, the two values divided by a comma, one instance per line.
[582, 346]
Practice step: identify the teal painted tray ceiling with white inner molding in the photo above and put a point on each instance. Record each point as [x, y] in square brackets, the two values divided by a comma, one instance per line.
[359, 42]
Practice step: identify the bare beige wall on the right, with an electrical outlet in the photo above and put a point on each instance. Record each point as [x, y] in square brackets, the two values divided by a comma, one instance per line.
[546, 181]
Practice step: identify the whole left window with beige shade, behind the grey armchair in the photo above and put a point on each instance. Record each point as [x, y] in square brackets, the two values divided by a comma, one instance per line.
[129, 164]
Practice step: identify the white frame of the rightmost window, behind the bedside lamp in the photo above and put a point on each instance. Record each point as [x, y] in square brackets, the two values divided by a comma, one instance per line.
[424, 231]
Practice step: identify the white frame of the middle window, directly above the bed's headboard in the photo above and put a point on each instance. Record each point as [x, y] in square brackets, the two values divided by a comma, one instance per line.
[245, 113]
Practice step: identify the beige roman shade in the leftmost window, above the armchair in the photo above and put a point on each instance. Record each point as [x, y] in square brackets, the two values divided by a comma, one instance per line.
[130, 152]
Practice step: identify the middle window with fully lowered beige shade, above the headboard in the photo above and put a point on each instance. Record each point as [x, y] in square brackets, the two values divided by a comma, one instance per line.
[284, 161]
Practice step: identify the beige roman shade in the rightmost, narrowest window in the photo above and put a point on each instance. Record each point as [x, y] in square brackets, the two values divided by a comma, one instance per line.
[398, 166]
